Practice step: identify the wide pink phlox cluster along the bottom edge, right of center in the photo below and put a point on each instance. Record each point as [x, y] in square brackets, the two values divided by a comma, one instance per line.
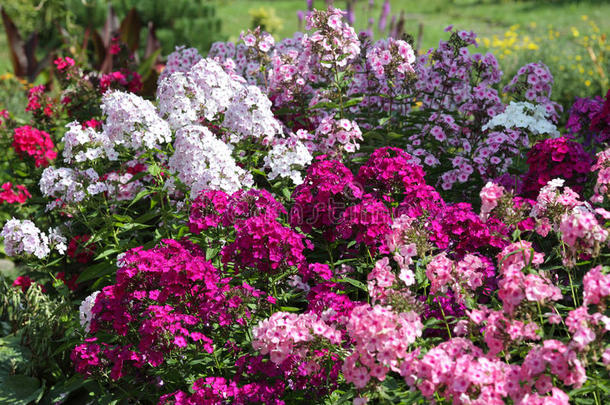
[459, 370]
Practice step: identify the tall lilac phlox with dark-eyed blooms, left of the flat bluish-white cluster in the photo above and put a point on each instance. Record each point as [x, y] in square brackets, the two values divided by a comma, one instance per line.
[452, 79]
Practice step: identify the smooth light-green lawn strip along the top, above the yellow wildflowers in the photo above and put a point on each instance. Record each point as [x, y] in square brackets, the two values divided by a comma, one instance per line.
[486, 18]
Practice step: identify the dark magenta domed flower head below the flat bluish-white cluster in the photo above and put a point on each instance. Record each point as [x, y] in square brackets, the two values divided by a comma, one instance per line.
[552, 158]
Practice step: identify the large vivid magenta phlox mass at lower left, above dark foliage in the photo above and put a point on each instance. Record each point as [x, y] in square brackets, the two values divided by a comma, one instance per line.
[165, 300]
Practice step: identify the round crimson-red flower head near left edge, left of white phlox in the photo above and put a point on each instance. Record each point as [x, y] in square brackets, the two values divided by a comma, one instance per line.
[34, 143]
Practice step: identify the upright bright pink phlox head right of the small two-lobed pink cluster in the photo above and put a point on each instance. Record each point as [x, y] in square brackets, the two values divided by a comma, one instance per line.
[515, 286]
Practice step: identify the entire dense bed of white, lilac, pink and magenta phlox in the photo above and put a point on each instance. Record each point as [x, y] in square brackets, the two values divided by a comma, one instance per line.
[323, 219]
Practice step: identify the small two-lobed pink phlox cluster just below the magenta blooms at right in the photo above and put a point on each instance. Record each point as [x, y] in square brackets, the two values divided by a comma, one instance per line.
[463, 277]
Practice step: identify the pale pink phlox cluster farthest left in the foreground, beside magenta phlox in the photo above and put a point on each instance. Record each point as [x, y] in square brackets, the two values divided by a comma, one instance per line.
[286, 334]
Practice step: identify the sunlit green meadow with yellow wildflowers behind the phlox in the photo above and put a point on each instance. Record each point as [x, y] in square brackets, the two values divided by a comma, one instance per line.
[533, 20]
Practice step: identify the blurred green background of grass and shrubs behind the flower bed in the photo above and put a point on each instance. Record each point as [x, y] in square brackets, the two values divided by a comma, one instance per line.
[570, 36]
